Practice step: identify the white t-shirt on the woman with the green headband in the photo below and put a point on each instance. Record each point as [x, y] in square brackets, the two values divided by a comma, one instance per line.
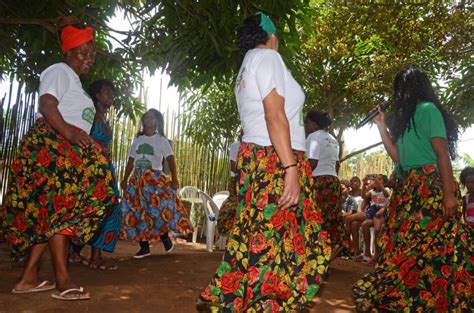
[262, 71]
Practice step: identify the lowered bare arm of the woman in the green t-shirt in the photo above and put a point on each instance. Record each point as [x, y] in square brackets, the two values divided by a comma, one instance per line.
[440, 148]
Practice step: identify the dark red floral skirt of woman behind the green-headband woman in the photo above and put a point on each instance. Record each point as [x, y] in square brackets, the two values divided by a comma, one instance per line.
[328, 196]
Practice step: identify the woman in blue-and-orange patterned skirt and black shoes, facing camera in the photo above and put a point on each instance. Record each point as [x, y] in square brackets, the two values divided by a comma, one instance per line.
[150, 205]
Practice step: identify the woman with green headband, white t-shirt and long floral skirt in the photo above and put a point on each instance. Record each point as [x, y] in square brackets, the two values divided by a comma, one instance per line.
[276, 254]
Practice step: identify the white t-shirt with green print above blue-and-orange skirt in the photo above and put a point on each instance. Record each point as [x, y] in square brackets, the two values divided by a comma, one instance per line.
[149, 151]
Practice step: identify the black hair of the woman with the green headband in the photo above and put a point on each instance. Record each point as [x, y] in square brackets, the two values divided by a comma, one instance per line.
[251, 34]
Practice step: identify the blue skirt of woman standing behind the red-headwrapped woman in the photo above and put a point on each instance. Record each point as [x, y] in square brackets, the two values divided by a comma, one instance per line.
[108, 232]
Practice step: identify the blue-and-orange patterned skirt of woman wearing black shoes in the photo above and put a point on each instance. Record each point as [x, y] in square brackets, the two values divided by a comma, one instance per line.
[151, 208]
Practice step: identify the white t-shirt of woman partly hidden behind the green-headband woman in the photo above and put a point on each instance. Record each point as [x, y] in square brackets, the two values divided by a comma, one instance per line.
[323, 147]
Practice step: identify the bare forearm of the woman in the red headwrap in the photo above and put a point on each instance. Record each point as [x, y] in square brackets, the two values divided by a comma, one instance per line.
[48, 107]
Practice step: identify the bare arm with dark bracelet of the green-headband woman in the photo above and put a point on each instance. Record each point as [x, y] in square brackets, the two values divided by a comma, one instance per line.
[279, 131]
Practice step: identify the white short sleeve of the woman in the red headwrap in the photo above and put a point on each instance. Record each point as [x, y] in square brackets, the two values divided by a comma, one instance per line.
[54, 81]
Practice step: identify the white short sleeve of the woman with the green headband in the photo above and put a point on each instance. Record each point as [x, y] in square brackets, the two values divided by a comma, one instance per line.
[270, 74]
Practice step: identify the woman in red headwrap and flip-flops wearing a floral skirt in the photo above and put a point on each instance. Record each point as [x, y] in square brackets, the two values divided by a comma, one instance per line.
[60, 181]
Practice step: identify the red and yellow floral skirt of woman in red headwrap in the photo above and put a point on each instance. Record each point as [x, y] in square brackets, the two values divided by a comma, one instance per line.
[54, 186]
